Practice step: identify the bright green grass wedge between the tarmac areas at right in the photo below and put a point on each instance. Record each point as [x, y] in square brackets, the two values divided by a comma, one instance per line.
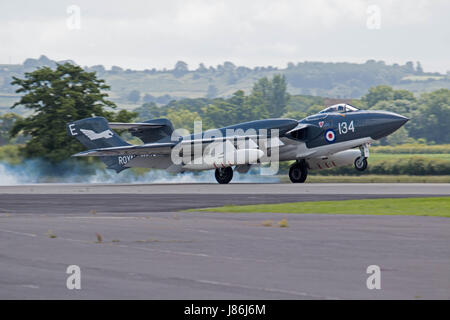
[438, 207]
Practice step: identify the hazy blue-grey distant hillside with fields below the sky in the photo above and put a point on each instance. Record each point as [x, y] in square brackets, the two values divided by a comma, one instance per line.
[131, 88]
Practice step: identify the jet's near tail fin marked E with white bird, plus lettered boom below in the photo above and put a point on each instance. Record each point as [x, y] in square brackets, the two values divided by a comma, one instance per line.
[95, 133]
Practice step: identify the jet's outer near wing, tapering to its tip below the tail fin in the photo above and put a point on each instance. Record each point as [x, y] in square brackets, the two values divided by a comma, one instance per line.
[145, 149]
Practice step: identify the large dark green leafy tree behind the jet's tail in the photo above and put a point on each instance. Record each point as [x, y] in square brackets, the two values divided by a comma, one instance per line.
[56, 97]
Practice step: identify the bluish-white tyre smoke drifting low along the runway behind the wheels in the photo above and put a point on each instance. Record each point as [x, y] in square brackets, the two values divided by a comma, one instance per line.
[70, 171]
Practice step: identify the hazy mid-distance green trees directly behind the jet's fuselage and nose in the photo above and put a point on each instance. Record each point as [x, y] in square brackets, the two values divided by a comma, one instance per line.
[429, 113]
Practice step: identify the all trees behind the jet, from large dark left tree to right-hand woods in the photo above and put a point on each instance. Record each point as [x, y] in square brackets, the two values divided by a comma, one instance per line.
[67, 92]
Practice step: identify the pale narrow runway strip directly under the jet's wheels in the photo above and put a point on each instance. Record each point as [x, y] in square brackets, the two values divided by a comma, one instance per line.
[235, 188]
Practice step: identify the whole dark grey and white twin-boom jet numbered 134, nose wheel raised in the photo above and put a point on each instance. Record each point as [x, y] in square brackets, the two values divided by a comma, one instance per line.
[337, 136]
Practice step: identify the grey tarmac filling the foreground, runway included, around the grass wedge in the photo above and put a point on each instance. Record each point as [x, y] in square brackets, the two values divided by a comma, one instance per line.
[148, 249]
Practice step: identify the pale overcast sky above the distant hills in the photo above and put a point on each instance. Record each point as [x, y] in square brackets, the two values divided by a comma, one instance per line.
[145, 34]
